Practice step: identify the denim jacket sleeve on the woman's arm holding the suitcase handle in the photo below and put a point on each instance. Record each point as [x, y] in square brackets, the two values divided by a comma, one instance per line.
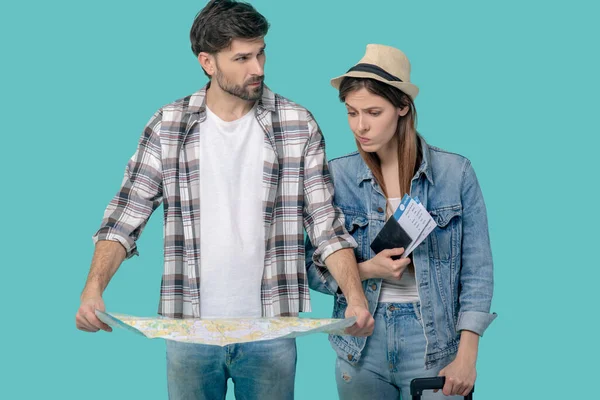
[476, 277]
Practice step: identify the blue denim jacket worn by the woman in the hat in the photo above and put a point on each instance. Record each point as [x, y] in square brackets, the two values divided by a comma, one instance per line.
[453, 266]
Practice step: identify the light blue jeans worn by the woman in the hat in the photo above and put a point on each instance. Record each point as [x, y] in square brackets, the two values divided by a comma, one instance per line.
[393, 356]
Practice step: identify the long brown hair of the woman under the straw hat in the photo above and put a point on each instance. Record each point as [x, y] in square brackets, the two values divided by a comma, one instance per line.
[406, 134]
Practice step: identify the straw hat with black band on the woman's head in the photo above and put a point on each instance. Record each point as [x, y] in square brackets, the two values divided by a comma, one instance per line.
[385, 64]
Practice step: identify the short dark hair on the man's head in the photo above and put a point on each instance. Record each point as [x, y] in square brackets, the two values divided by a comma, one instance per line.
[221, 21]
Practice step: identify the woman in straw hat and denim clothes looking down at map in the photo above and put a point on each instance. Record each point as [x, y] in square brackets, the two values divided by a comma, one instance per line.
[430, 308]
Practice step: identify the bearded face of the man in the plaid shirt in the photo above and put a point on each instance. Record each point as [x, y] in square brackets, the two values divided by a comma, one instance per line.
[239, 69]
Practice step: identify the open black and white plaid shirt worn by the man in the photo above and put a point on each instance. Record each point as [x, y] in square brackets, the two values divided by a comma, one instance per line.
[297, 193]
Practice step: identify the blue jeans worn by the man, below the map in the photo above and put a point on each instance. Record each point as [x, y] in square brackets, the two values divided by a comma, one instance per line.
[262, 370]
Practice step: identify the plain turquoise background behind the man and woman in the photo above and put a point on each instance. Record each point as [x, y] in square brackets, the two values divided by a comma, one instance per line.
[512, 85]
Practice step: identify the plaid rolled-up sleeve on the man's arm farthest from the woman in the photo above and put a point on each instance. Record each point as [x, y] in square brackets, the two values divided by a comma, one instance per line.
[140, 193]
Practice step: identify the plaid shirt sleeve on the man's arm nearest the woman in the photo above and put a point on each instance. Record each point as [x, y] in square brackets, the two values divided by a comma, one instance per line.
[323, 221]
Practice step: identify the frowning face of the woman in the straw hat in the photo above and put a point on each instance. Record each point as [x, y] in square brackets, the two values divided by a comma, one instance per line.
[373, 120]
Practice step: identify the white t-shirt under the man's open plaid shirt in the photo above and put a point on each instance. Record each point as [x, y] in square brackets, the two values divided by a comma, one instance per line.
[232, 248]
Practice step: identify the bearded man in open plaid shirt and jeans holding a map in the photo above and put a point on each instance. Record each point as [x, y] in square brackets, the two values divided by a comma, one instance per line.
[240, 171]
